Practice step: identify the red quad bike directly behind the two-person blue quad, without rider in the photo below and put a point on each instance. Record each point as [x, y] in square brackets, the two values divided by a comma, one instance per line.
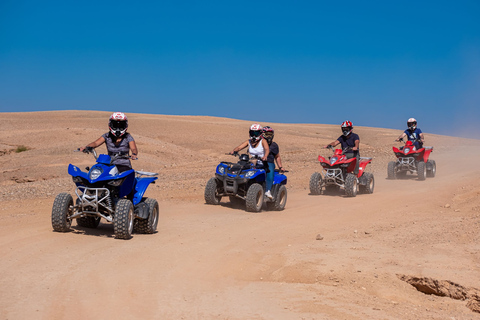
[338, 172]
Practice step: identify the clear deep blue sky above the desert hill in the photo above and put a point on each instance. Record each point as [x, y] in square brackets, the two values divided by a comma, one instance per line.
[376, 63]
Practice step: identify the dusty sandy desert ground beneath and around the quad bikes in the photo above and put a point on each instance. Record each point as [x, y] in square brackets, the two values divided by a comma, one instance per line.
[220, 262]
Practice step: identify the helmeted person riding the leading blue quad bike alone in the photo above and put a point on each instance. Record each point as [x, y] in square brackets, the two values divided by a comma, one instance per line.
[118, 141]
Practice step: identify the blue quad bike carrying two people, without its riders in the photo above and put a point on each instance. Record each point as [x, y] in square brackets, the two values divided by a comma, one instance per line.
[244, 184]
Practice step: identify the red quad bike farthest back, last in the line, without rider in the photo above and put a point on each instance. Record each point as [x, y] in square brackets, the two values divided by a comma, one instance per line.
[413, 160]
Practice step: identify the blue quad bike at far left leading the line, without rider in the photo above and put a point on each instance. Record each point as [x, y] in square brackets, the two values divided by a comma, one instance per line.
[104, 192]
